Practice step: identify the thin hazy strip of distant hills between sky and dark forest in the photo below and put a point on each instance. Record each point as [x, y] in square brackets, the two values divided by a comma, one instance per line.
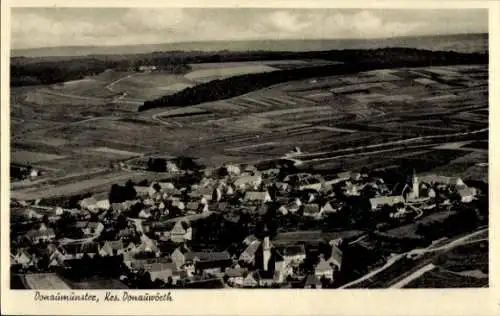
[248, 40]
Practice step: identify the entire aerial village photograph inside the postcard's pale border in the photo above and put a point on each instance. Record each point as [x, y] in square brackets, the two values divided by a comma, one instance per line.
[248, 148]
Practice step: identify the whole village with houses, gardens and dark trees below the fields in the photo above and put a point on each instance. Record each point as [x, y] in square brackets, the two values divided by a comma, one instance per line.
[222, 230]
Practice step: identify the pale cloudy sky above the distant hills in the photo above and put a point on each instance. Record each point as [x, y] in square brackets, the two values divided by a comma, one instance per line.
[41, 27]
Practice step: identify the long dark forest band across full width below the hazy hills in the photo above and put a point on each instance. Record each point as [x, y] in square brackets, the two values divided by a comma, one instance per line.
[49, 70]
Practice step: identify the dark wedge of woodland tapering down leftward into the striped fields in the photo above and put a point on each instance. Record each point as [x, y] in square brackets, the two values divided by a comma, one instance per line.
[354, 61]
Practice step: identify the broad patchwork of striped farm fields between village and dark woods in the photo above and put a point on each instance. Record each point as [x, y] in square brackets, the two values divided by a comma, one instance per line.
[375, 119]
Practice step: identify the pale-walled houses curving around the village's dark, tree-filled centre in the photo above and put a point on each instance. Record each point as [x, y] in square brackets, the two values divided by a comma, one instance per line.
[157, 243]
